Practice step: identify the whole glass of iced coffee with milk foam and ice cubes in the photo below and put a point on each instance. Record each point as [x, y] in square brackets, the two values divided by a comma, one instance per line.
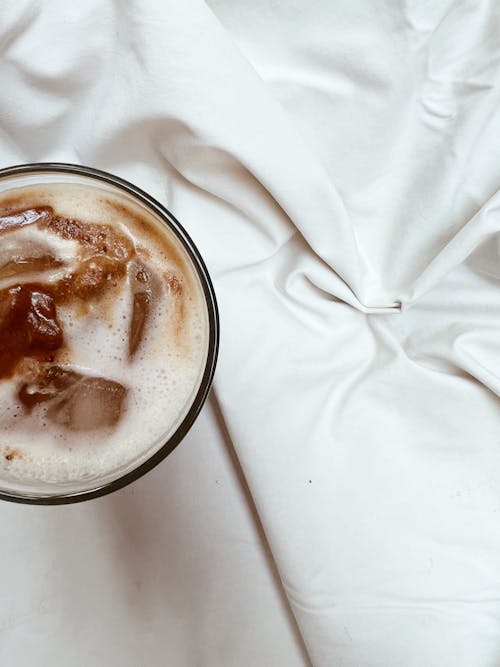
[108, 333]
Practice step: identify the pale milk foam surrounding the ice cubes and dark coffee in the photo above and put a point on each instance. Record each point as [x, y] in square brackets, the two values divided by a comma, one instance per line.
[162, 378]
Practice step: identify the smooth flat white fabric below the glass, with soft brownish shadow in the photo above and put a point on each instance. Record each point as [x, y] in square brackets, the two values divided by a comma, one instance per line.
[157, 574]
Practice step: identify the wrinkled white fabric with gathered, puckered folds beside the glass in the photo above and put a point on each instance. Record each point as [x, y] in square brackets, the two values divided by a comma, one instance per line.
[337, 164]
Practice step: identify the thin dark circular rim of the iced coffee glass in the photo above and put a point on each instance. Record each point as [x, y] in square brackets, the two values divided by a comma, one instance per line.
[213, 333]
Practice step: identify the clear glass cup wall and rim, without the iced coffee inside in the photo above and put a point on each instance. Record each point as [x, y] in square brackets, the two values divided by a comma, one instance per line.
[48, 493]
